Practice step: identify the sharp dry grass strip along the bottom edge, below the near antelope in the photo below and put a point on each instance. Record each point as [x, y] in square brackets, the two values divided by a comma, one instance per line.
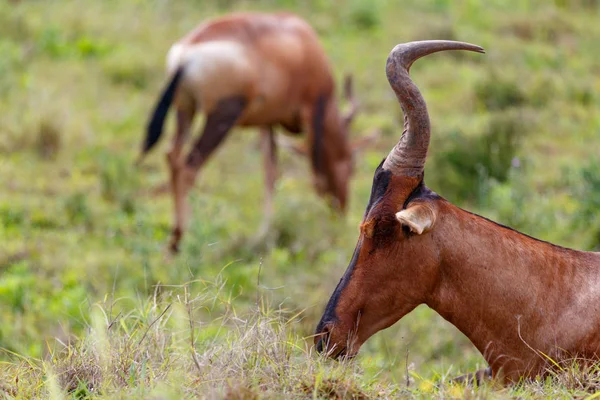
[169, 347]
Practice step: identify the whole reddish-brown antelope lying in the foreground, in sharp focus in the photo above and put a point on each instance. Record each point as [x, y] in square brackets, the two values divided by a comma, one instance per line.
[519, 300]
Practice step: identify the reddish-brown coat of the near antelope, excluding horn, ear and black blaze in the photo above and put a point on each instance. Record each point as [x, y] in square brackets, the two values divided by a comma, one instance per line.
[515, 297]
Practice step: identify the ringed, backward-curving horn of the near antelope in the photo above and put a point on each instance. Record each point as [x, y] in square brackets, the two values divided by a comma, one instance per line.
[408, 156]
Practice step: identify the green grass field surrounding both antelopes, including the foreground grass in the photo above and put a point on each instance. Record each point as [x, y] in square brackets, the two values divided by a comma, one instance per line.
[91, 306]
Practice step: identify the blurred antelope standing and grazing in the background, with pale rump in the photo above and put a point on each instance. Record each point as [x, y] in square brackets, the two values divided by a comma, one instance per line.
[254, 69]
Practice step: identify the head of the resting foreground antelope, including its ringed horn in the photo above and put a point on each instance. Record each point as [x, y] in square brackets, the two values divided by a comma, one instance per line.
[396, 261]
